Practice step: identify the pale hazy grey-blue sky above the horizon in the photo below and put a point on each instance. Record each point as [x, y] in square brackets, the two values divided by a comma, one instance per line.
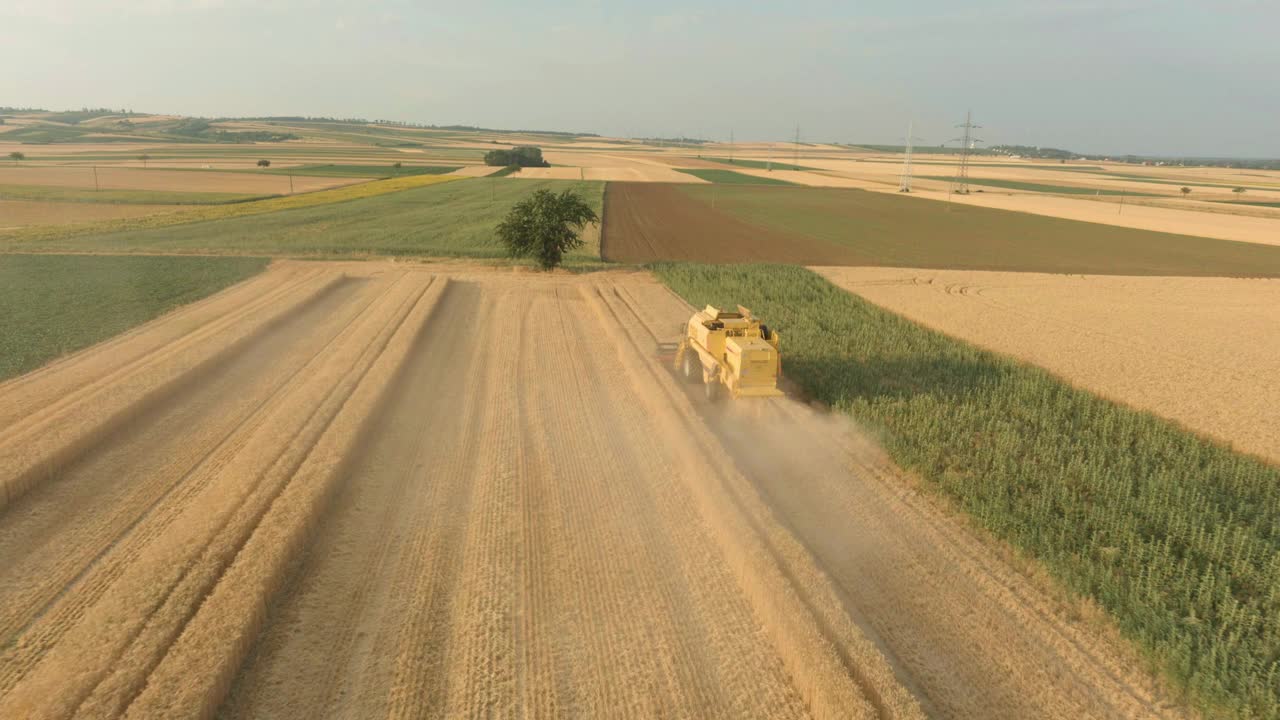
[1107, 76]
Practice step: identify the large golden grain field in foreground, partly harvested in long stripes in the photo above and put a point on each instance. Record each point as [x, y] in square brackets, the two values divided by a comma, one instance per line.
[363, 490]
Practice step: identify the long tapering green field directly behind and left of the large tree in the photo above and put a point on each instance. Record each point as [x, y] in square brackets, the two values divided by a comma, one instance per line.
[447, 220]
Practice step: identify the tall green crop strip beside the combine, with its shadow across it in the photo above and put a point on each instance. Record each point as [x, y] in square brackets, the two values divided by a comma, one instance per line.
[1173, 535]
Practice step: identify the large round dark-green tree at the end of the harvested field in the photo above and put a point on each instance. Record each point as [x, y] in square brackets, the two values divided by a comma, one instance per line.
[546, 226]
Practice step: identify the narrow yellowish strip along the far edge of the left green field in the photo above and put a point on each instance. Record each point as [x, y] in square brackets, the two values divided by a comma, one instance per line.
[53, 236]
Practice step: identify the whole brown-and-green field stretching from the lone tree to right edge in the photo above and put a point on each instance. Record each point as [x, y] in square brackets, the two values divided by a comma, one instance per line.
[851, 227]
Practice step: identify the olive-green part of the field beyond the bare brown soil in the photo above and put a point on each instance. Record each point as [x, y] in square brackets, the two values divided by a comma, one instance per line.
[880, 229]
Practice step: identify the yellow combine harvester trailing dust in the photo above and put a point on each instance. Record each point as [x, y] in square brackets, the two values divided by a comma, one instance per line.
[730, 352]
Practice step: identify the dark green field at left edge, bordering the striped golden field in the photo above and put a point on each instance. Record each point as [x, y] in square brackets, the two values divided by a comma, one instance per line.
[52, 306]
